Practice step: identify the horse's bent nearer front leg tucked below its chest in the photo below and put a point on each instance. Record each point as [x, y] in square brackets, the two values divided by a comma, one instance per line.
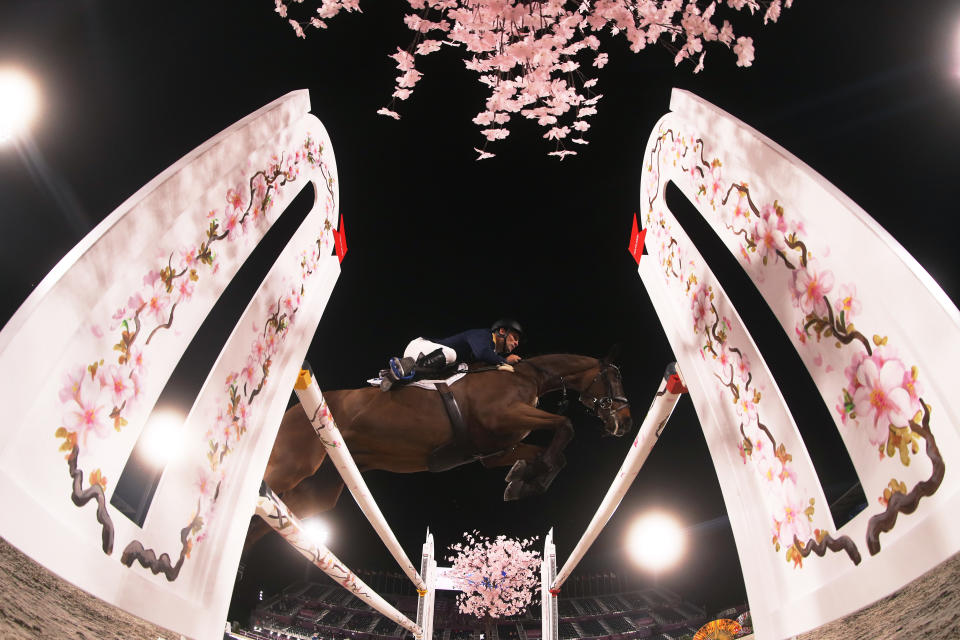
[533, 477]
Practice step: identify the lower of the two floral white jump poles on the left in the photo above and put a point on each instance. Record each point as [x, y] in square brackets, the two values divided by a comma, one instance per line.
[278, 516]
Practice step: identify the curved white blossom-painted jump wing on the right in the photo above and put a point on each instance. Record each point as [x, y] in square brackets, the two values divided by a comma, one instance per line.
[877, 335]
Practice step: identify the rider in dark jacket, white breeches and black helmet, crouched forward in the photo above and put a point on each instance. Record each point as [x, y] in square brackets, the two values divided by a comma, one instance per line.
[493, 346]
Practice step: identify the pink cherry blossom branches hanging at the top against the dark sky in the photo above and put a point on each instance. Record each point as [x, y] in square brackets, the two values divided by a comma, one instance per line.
[539, 58]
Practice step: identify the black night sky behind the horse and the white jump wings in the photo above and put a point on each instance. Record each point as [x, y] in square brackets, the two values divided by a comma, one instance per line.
[865, 93]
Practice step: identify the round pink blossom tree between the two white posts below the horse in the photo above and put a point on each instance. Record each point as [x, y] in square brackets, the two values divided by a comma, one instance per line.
[497, 578]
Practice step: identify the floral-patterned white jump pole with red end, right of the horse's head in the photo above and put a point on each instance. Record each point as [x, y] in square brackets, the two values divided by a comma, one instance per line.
[653, 424]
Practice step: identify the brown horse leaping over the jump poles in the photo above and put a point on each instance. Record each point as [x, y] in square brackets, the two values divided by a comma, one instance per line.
[398, 431]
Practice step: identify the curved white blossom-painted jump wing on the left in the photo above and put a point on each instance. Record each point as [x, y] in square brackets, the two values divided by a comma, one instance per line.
[95, 343]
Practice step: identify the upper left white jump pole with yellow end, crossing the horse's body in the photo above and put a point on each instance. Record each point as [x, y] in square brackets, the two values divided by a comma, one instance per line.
[323, 423]
